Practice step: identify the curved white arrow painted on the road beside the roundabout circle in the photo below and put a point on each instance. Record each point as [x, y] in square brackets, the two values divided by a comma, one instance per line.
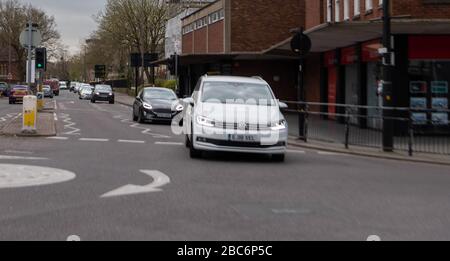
[159, 179]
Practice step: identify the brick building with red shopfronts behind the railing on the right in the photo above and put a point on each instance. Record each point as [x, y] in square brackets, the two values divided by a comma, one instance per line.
[345, 66]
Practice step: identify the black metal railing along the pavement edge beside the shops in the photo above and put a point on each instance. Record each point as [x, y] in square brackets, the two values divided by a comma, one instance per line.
[415, 130]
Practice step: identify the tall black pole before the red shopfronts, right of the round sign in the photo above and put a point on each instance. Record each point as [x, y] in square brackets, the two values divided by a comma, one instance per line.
[388, 123]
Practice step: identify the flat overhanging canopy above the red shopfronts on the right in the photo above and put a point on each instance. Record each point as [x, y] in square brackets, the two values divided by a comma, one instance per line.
[330, 36]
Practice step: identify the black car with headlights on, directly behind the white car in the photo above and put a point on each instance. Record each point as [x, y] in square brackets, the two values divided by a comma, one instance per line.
[156, 104]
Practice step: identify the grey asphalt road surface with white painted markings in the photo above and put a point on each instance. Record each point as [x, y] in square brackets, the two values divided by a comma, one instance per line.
[104, 177]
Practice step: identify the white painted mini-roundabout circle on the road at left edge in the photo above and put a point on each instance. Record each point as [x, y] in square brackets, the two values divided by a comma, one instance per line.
[18, 176]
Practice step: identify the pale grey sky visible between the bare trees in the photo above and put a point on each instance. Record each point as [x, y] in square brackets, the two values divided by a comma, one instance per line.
[74, 18]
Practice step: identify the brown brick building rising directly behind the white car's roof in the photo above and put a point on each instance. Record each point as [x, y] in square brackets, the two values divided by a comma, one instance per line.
[229, 37]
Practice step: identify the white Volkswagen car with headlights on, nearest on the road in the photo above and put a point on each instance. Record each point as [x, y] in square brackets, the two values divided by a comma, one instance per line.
[235, 114]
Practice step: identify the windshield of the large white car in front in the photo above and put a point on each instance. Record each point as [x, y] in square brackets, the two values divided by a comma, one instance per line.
[237, 93]
